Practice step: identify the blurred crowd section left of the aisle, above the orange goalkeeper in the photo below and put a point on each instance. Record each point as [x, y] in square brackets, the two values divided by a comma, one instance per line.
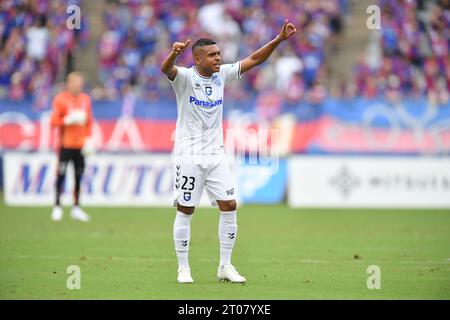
[35, 47]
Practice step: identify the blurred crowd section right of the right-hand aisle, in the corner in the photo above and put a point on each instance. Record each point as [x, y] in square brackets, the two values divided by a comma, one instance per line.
[410, 55]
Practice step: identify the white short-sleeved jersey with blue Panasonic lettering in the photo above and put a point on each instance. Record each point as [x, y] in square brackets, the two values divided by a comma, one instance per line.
[200, 107]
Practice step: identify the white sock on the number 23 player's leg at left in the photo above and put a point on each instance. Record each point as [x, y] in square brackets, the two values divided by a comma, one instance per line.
[181, 238]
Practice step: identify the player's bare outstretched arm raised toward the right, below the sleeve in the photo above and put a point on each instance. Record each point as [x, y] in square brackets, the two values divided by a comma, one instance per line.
[261, 55]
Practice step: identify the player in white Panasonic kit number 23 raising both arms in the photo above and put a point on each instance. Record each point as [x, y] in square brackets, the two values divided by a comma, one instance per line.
[198, 156]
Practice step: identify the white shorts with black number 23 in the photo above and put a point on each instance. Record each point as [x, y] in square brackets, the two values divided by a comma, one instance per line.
[212, 173]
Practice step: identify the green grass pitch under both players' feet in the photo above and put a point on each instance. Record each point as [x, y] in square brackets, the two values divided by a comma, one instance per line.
[127, 253]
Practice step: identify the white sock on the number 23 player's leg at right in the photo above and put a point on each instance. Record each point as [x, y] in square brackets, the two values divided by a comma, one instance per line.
[227, 235]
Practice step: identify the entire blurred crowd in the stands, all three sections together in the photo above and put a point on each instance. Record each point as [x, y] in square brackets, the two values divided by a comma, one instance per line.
[408, 56]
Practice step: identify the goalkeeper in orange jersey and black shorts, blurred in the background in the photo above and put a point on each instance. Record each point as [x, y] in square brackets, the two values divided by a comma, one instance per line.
[72, 115]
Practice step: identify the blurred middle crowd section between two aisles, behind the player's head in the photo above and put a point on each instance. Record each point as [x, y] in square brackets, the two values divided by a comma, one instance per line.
[138, 36]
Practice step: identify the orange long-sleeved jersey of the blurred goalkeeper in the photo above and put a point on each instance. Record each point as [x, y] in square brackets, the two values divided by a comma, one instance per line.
[72, 136]
